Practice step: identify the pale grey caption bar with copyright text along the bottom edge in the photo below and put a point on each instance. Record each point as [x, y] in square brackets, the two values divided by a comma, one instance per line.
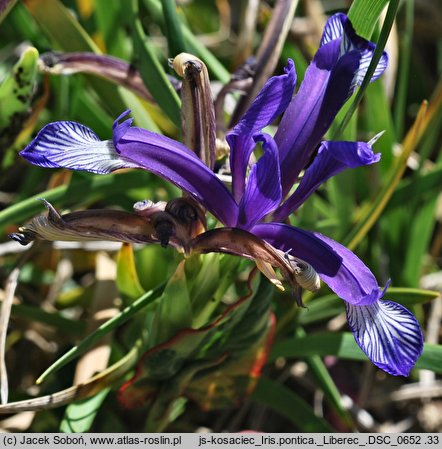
[247, 440]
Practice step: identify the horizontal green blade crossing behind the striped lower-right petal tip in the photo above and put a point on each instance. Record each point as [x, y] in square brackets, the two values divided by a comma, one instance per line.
[343, 345]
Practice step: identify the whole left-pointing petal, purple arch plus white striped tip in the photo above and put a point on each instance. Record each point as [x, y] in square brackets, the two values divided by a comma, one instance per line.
[74, 146]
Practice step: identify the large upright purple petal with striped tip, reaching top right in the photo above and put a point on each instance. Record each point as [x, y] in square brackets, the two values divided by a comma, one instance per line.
[338, 67]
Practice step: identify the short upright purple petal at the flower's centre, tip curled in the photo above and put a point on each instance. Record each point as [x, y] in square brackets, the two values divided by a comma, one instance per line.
[263, 190]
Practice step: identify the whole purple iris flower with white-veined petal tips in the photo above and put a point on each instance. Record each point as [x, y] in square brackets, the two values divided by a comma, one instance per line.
[261, 197]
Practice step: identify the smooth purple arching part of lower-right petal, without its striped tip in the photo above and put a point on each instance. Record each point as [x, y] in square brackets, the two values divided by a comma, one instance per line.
[336, 265]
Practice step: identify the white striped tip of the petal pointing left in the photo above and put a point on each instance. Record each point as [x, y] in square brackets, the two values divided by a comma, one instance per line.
[74, 146]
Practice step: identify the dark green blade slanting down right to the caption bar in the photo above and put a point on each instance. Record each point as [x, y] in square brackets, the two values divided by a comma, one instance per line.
[288, 404]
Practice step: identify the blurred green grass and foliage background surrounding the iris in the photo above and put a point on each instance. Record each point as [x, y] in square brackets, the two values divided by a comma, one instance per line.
[203, 328]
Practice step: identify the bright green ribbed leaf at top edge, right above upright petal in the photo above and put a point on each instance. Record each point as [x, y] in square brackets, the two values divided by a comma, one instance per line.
[365, 14]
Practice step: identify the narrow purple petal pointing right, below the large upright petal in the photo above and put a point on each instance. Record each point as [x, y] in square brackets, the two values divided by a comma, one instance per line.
[332, 158]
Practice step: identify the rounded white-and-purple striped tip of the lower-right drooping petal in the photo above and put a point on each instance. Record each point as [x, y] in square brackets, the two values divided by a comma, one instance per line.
[388, 333]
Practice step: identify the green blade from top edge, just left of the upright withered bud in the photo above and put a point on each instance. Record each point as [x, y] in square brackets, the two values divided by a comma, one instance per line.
[152, 72]
